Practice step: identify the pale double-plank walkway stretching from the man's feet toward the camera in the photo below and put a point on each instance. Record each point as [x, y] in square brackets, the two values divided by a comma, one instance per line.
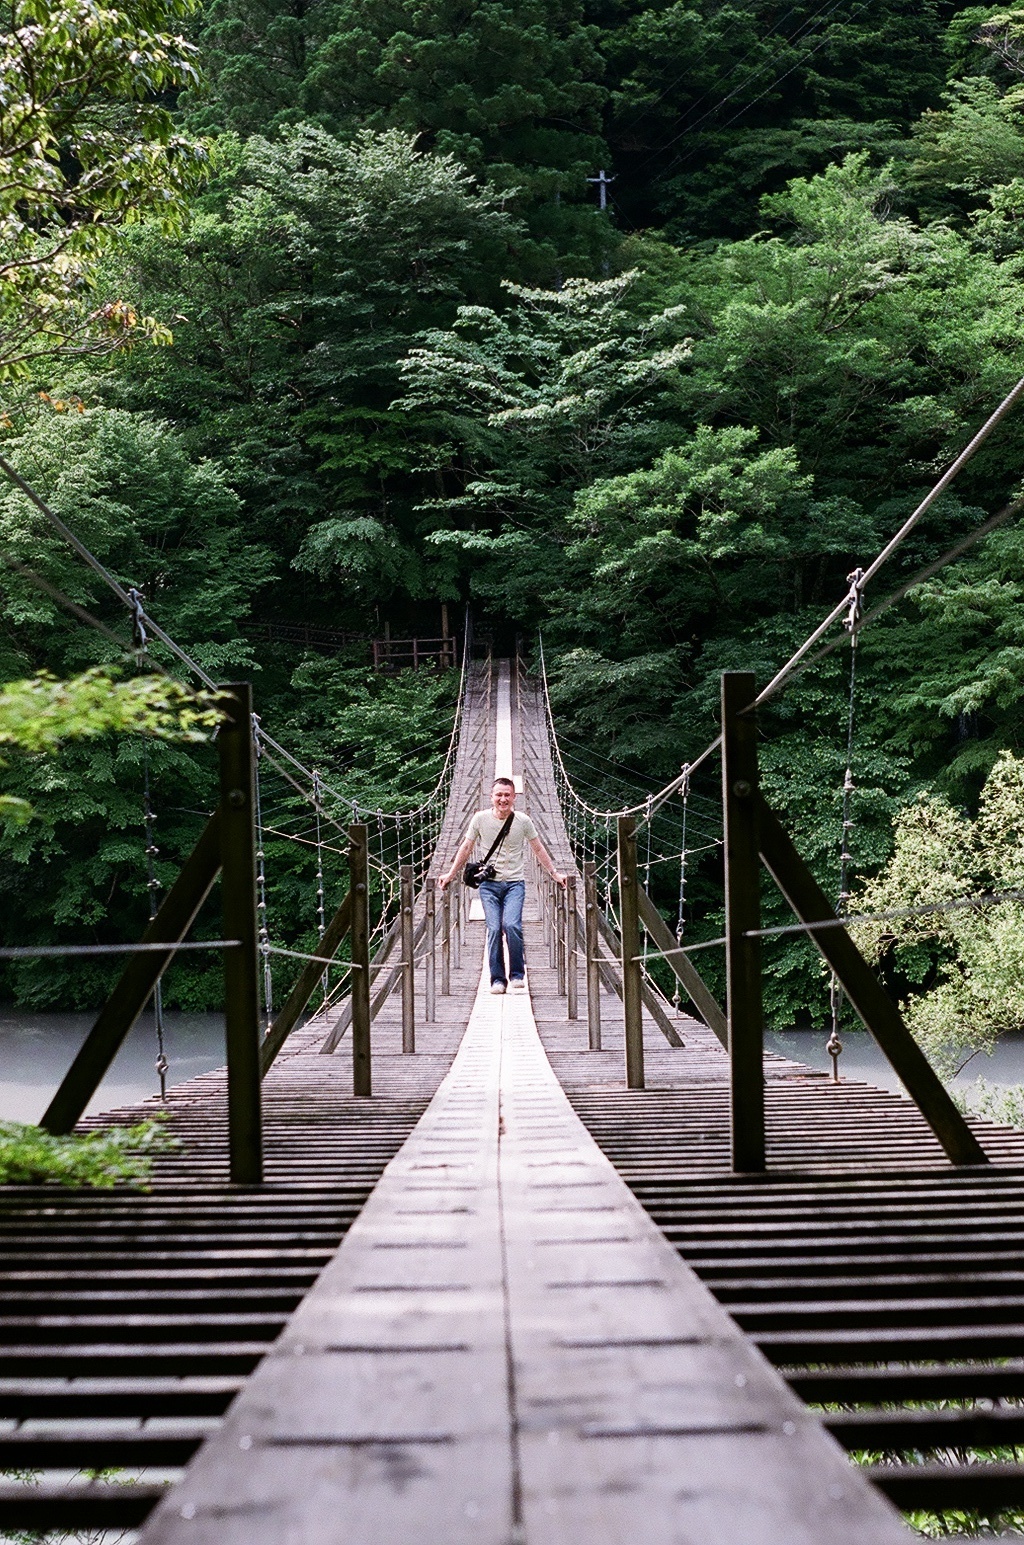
[506, 1351]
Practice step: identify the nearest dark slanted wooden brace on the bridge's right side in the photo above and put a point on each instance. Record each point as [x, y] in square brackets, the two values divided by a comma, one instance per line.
[866, 993]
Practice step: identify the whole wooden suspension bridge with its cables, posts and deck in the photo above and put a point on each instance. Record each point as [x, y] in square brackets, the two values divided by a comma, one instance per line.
[583, 1263]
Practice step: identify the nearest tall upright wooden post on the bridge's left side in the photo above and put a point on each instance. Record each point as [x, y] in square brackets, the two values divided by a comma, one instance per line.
[239, 909]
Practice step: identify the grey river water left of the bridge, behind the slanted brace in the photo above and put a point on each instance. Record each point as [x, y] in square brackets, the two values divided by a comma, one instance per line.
[36, 1051]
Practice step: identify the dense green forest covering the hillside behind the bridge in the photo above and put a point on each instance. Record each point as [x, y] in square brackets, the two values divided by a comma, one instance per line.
[637, 324]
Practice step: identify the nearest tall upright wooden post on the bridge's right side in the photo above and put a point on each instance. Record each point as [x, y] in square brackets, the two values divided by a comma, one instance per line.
[744, 917]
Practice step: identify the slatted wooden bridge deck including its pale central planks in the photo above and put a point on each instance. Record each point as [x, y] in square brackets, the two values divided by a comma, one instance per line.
[510, 1300]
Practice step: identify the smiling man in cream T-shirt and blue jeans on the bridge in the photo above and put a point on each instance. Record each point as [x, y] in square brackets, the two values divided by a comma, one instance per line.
[503, 897]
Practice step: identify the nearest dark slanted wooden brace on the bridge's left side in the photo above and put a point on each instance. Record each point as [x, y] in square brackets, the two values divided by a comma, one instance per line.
[137, 983]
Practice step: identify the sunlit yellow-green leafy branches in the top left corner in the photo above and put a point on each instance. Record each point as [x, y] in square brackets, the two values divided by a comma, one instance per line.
[86, 148]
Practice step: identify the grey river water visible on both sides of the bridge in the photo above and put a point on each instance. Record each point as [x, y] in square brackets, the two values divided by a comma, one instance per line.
[36, 1051]
